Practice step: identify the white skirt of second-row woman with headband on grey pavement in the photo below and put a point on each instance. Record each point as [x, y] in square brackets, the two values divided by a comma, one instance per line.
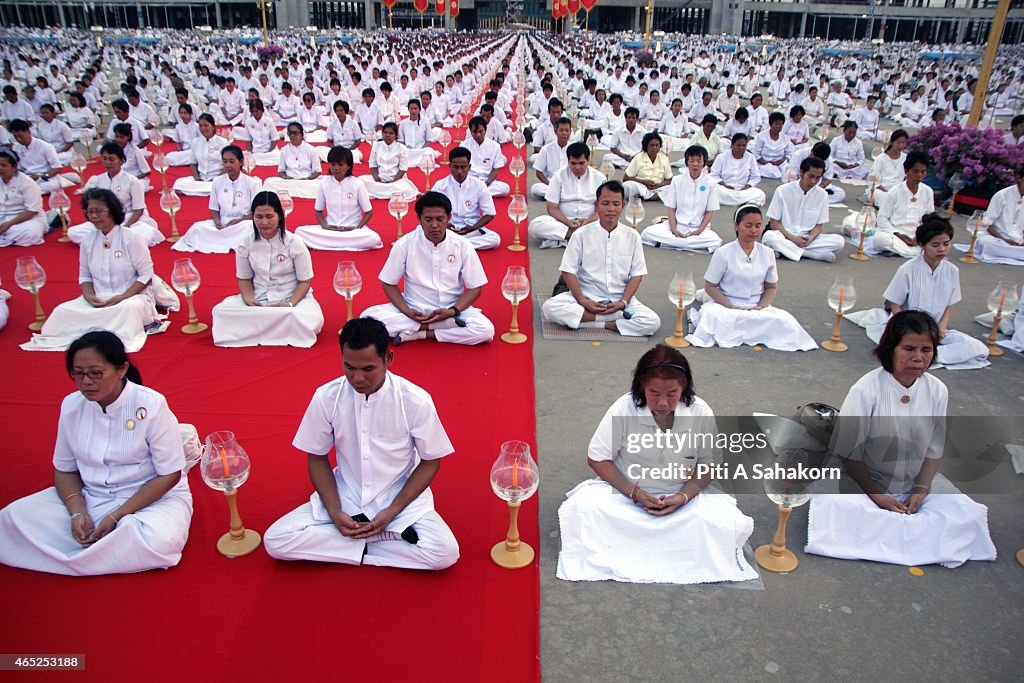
[775, 328]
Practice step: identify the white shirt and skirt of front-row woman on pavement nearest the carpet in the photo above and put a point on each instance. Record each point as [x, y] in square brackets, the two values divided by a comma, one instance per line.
[607, 537]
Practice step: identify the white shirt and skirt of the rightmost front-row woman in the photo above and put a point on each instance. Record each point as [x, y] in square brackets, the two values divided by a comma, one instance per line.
[949, 529]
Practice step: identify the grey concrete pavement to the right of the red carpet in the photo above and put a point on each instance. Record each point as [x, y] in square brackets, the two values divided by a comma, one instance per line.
[830, 620]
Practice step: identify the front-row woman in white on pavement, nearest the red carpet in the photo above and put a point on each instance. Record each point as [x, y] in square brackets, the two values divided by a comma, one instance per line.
[649, 518]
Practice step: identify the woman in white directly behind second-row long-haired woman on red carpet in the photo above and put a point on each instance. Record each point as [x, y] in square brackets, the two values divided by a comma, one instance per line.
[231, 217]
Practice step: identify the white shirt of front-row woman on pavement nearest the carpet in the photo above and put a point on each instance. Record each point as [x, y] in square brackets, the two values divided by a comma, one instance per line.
[611, 441]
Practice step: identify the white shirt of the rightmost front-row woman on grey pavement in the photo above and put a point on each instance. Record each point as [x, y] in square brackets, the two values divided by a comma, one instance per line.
[892, 438]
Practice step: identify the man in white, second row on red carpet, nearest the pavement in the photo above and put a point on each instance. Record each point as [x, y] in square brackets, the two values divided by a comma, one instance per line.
[444, 277]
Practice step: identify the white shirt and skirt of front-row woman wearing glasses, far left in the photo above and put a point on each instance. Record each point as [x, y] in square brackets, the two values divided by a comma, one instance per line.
[115, 452]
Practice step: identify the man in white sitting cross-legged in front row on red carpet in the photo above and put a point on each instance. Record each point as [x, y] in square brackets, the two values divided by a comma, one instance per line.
[375, 507]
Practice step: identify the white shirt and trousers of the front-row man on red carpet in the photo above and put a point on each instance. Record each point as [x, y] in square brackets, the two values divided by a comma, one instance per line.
[378, 442]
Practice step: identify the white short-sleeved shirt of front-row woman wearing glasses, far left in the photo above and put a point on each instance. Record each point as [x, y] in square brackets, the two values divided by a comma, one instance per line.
[111, 458]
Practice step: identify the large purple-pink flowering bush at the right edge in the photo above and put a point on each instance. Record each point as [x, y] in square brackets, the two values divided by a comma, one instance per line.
[983, 156]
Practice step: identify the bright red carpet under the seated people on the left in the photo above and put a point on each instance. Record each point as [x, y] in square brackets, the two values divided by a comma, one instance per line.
[219, 619]
